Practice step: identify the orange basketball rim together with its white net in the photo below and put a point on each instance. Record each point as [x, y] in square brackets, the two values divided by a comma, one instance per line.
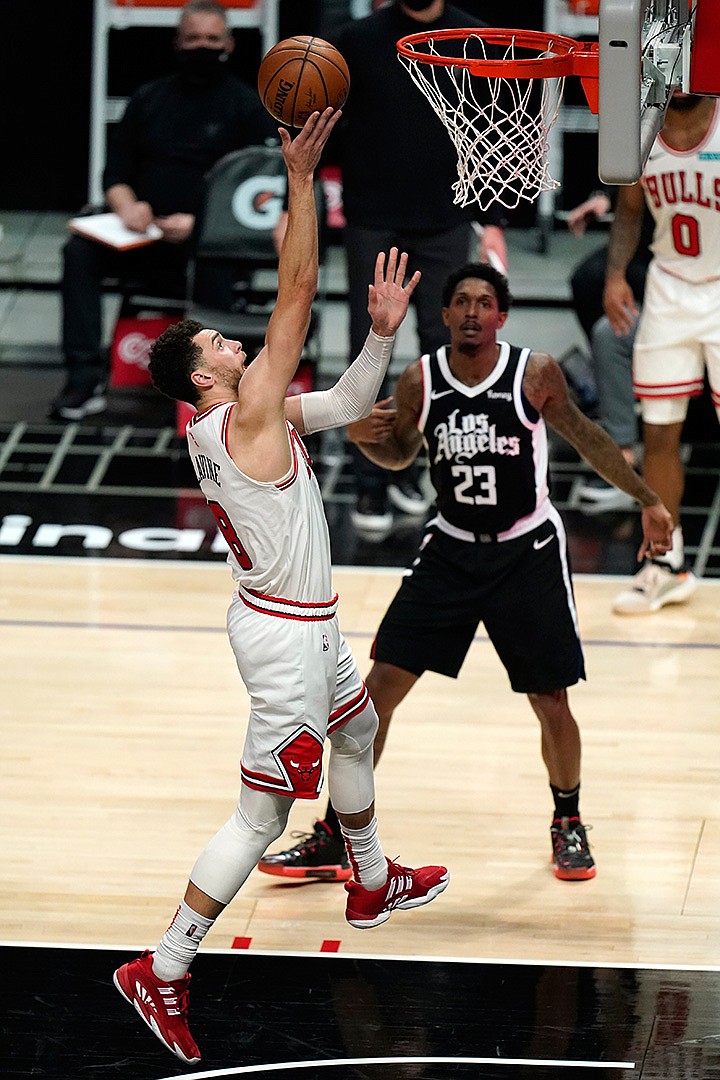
[498, 93]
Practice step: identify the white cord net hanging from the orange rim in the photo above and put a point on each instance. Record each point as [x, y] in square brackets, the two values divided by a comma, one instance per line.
[500, 126]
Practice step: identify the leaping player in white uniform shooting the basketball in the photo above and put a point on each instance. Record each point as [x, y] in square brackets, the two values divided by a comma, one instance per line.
[301, 676]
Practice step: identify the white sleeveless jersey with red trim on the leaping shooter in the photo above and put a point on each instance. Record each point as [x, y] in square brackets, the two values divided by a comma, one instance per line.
[277, 531]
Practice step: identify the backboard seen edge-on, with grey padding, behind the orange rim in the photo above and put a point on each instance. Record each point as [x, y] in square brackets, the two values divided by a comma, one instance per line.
[647, 50]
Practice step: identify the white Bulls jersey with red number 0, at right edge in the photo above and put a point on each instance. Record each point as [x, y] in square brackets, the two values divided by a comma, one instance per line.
[683, 191]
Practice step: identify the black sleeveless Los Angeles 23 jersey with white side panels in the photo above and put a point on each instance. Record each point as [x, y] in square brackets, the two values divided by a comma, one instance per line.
[487, 447]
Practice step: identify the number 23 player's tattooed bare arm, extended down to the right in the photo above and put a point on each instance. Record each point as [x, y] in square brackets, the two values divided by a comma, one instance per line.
[546, 389]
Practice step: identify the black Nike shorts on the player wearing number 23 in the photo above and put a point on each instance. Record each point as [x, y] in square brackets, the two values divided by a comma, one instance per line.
[520, 589]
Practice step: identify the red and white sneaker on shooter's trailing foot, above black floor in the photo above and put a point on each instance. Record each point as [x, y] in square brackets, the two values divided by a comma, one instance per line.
[162, 1006]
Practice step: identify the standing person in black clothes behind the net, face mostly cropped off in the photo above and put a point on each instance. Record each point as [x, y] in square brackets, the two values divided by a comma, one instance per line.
[399, 167]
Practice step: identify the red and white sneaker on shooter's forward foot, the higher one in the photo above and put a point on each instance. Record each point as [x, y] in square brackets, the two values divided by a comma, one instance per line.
[404, 888]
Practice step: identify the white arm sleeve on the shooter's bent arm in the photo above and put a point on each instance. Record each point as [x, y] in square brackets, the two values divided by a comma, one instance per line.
[355, 394]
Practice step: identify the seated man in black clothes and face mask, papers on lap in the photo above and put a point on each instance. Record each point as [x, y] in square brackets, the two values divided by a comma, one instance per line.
[173, 131]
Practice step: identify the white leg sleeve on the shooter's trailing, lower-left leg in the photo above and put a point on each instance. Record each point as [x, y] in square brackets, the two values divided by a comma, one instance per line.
[257, 821]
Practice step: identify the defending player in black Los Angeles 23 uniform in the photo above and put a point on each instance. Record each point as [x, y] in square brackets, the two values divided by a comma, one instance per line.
[496, 552]
